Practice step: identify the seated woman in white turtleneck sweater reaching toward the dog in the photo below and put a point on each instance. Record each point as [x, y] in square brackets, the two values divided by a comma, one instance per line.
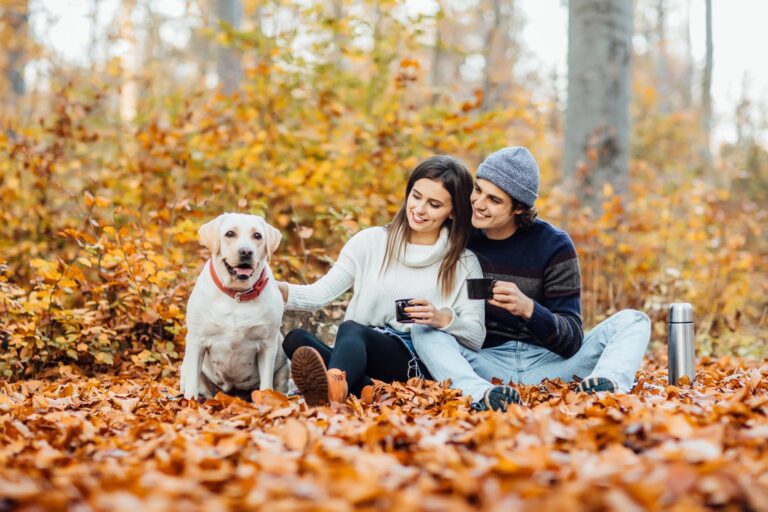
[421, 256]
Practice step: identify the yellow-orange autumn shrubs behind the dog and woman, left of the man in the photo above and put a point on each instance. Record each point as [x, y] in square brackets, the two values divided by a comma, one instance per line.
[99, 236]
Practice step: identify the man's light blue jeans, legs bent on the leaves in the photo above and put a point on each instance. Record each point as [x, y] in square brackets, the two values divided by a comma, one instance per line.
[613, 349]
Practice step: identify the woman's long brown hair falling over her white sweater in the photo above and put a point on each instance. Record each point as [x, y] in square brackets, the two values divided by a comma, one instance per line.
[457, 180]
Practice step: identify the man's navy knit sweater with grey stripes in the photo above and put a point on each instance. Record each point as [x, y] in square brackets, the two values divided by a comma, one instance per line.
[542, 262]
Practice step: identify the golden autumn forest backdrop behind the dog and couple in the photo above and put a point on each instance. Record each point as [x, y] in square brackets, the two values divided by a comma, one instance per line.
[313, 114]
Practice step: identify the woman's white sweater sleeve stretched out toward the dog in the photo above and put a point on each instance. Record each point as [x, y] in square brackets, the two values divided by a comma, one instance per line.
[339, 279]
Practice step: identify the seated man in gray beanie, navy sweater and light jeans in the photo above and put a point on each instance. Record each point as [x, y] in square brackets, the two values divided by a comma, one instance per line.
[533, 321]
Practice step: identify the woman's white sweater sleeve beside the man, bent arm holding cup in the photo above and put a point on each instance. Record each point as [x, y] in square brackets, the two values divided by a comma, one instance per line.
[468, 324]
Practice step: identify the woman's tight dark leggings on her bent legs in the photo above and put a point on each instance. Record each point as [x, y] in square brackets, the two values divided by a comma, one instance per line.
[361, 351]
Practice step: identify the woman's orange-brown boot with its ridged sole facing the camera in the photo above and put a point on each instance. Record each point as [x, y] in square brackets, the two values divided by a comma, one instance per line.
[318, 384]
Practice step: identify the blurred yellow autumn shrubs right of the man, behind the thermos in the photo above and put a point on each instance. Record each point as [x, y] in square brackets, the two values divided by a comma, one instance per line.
[690, 243]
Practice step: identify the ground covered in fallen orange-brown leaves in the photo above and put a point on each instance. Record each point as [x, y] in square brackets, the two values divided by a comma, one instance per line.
[126, 443]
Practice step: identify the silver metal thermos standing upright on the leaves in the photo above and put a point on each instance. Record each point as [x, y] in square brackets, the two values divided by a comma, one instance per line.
[682, 355]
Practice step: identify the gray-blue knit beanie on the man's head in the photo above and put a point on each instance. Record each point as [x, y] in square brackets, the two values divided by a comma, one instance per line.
[514, 171]
